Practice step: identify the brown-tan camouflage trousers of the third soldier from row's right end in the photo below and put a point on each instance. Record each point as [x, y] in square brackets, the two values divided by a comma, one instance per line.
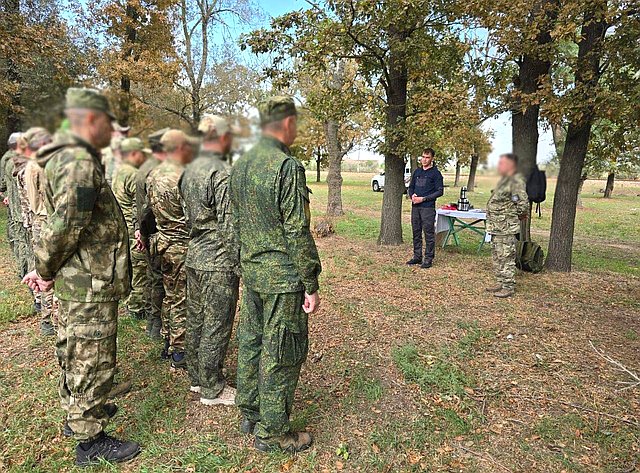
[174, 304]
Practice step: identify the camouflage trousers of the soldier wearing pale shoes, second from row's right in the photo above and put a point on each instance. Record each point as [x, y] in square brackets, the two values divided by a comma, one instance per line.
[212, 298]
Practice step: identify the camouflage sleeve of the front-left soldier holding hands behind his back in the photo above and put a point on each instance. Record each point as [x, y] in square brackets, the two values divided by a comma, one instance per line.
[75, 188]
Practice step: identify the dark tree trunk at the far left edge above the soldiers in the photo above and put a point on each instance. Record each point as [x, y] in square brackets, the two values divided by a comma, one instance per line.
[13, 120]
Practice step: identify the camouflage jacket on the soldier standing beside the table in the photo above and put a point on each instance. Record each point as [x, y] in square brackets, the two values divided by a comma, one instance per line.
[508, 200]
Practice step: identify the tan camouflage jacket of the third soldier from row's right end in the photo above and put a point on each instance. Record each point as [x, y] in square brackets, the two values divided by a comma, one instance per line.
[166, 203]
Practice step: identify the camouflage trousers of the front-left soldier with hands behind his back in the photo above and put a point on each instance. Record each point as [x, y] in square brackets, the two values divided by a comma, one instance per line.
[86, 351]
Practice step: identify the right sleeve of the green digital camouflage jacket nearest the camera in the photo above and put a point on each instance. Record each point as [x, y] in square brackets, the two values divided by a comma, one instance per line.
[296, 217]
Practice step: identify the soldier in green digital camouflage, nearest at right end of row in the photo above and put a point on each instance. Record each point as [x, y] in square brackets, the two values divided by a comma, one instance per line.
[280, 268]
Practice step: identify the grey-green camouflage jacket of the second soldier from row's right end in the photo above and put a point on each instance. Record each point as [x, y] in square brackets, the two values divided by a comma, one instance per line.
[205, 196]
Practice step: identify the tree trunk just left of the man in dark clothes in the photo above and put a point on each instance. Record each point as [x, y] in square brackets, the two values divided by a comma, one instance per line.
[396, 111]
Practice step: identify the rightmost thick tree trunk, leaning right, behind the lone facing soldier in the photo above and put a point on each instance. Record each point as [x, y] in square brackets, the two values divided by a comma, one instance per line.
[587, 76]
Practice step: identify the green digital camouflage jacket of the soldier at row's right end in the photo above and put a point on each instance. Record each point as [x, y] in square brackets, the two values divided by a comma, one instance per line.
[270, 207]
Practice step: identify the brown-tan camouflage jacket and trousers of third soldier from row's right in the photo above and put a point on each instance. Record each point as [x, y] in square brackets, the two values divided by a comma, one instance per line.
[171, 244]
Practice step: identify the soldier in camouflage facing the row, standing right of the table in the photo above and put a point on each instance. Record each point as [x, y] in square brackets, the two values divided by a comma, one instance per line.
[507, 205]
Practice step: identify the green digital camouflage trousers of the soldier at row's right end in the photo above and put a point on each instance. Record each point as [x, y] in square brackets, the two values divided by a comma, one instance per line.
[272, 346]
